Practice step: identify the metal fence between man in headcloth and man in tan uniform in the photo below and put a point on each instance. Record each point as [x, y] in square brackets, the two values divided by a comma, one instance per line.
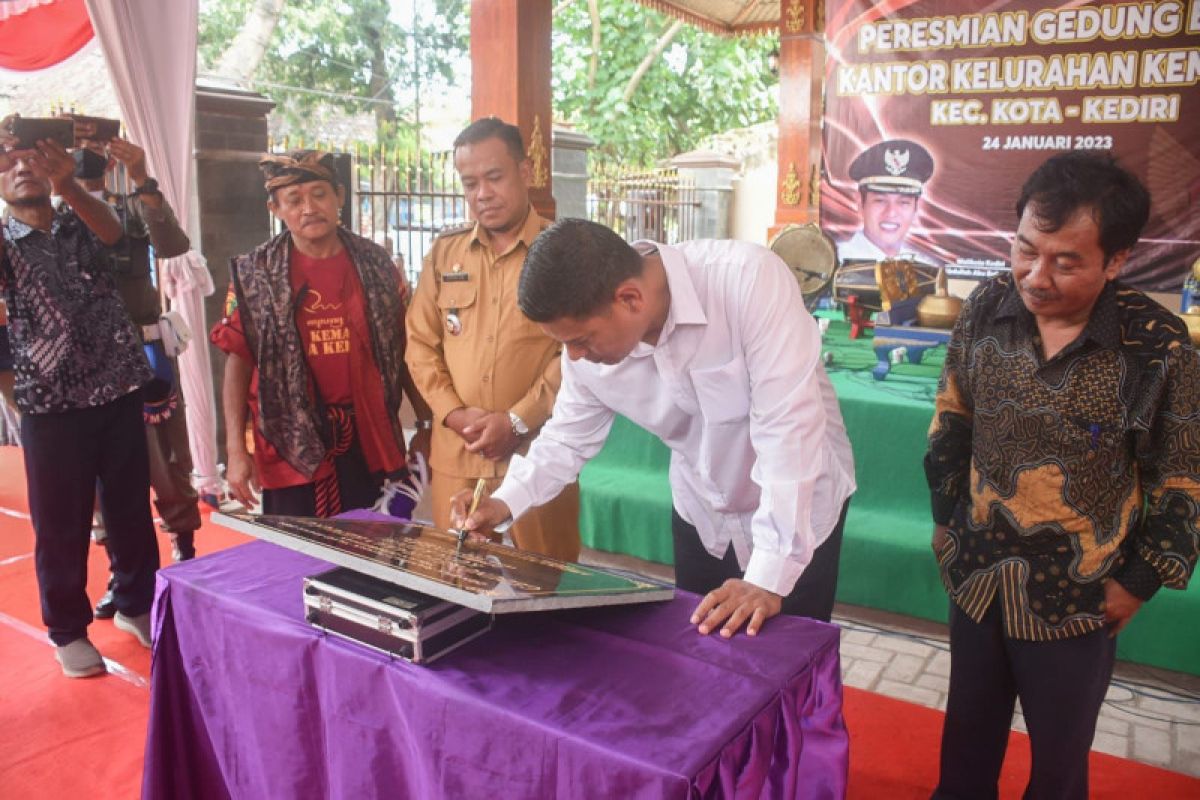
[400, 201]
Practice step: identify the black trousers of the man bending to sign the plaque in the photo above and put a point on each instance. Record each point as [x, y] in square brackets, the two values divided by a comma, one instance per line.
[699, 573]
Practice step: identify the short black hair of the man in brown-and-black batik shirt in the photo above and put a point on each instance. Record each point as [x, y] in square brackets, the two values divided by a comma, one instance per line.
[1094, 182]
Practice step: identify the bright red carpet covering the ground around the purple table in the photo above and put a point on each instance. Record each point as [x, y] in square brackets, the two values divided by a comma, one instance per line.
[64, 738]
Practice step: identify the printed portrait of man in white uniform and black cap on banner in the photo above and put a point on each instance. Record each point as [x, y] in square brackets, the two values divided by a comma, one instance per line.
[891, 178]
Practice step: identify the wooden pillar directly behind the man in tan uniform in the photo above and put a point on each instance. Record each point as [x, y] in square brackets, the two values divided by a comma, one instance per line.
[511, 64]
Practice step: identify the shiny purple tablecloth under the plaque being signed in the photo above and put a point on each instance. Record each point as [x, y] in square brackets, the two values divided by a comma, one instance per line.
[248, 701]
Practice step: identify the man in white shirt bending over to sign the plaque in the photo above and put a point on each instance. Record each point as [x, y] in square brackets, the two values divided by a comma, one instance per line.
[709, 346]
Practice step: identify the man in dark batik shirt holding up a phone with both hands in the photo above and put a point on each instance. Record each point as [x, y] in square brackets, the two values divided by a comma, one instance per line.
[80, 370]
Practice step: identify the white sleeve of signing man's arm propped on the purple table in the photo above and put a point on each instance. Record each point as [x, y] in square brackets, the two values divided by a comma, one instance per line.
[788, 425]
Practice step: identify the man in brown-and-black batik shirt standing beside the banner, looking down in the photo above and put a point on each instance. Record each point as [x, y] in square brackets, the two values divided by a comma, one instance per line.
[1065, 476]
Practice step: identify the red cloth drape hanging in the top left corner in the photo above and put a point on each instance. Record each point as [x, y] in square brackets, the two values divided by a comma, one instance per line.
[39, 34]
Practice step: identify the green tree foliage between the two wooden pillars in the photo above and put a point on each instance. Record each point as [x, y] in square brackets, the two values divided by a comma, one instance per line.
[641, 109]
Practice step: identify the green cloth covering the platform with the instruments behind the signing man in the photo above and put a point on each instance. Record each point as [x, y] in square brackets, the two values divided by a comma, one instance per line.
[886, 561]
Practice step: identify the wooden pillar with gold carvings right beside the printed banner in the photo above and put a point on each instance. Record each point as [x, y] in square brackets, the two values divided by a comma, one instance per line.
[801, 80]
